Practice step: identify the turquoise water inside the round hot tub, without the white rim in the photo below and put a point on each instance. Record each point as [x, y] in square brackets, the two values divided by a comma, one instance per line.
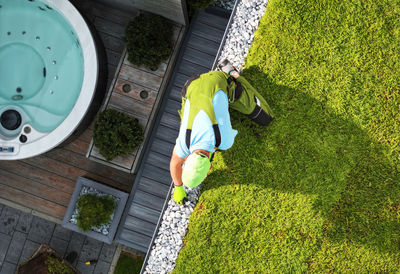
[41, 67]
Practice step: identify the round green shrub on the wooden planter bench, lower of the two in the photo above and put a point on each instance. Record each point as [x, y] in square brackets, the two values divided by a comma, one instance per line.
[116, 134]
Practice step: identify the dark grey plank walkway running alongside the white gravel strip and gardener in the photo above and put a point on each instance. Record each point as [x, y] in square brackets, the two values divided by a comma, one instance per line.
[153, 181]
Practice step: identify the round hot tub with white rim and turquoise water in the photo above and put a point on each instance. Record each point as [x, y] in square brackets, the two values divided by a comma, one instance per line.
[48, 75]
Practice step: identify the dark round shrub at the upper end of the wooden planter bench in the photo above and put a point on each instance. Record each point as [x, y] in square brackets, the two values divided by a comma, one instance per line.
[148, 40]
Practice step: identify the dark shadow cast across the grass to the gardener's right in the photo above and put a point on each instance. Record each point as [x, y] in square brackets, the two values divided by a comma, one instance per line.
[310, 149]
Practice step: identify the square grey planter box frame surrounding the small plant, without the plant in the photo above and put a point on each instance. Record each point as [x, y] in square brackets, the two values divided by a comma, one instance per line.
[122, 196]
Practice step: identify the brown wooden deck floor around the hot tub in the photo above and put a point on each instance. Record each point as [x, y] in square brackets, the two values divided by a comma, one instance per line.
[44, 184]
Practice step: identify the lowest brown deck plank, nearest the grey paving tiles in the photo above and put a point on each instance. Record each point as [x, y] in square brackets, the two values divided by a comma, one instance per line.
[30, 201]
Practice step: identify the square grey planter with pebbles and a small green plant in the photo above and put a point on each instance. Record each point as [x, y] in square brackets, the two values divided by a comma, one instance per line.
[95, 210]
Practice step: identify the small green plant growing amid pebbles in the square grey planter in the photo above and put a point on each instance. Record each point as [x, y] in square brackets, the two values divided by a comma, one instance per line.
[94, 210]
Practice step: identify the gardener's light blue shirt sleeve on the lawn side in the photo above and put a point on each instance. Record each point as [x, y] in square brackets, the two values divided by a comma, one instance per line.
[221, 110]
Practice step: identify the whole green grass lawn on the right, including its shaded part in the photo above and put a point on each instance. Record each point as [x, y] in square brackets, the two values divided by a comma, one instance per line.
[319, 189]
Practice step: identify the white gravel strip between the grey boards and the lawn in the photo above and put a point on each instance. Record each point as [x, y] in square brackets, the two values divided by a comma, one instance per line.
[176, 218]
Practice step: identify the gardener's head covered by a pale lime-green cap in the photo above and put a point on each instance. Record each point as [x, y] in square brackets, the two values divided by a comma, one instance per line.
[196, 168]
